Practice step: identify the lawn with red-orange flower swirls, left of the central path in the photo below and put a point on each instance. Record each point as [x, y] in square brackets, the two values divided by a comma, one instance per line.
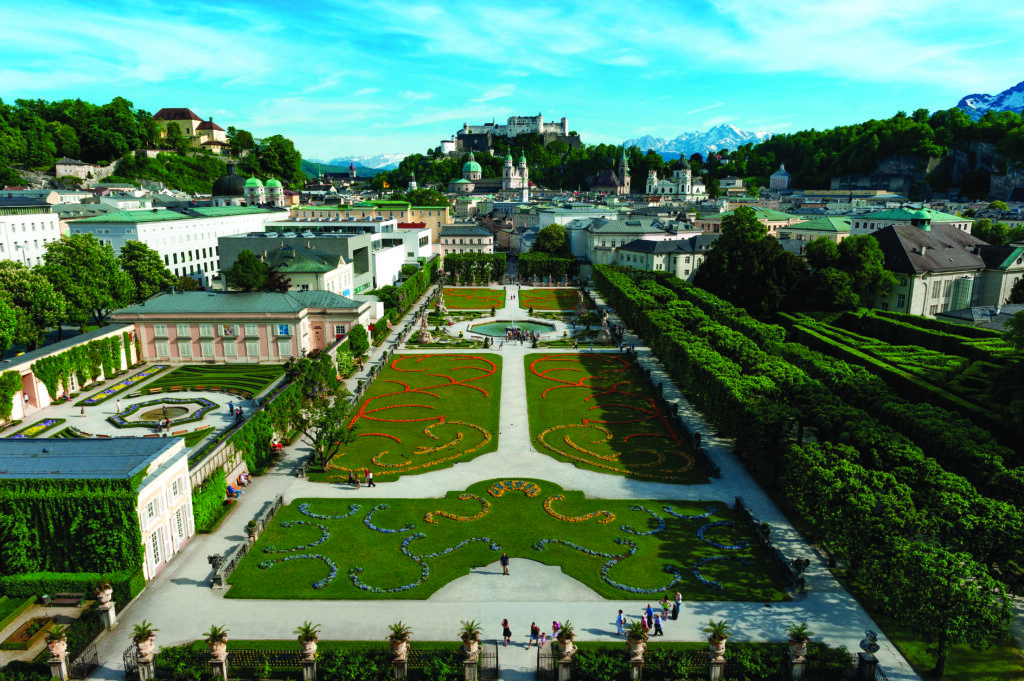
[423, 412]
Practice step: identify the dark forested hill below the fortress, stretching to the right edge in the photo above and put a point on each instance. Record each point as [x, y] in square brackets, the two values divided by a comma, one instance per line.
[946, 151]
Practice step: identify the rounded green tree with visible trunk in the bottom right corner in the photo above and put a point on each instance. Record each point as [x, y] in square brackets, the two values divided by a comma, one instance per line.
[947, 598]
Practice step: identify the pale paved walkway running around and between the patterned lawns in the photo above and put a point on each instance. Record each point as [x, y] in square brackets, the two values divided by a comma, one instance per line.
[182, 605]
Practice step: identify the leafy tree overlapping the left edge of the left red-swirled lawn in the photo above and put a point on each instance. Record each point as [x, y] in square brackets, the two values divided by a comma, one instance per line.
[323, 418]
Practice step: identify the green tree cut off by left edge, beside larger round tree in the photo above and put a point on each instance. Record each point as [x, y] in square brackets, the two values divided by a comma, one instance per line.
[36, 303]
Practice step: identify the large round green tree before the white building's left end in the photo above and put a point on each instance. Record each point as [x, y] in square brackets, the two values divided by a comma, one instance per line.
[89, 276]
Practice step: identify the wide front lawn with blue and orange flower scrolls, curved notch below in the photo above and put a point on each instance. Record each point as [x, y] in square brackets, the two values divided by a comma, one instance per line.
[409, 548]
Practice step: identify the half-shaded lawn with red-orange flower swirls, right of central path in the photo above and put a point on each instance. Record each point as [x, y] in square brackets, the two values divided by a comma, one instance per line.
[600, 412]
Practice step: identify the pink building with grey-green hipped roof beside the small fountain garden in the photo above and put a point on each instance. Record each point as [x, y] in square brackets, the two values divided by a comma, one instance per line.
[220, 326]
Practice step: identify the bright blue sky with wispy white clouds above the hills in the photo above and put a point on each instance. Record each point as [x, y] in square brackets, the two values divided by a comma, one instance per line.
[364, 77]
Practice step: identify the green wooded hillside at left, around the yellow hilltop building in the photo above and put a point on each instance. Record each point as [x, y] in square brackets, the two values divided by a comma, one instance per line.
[35, 134]
